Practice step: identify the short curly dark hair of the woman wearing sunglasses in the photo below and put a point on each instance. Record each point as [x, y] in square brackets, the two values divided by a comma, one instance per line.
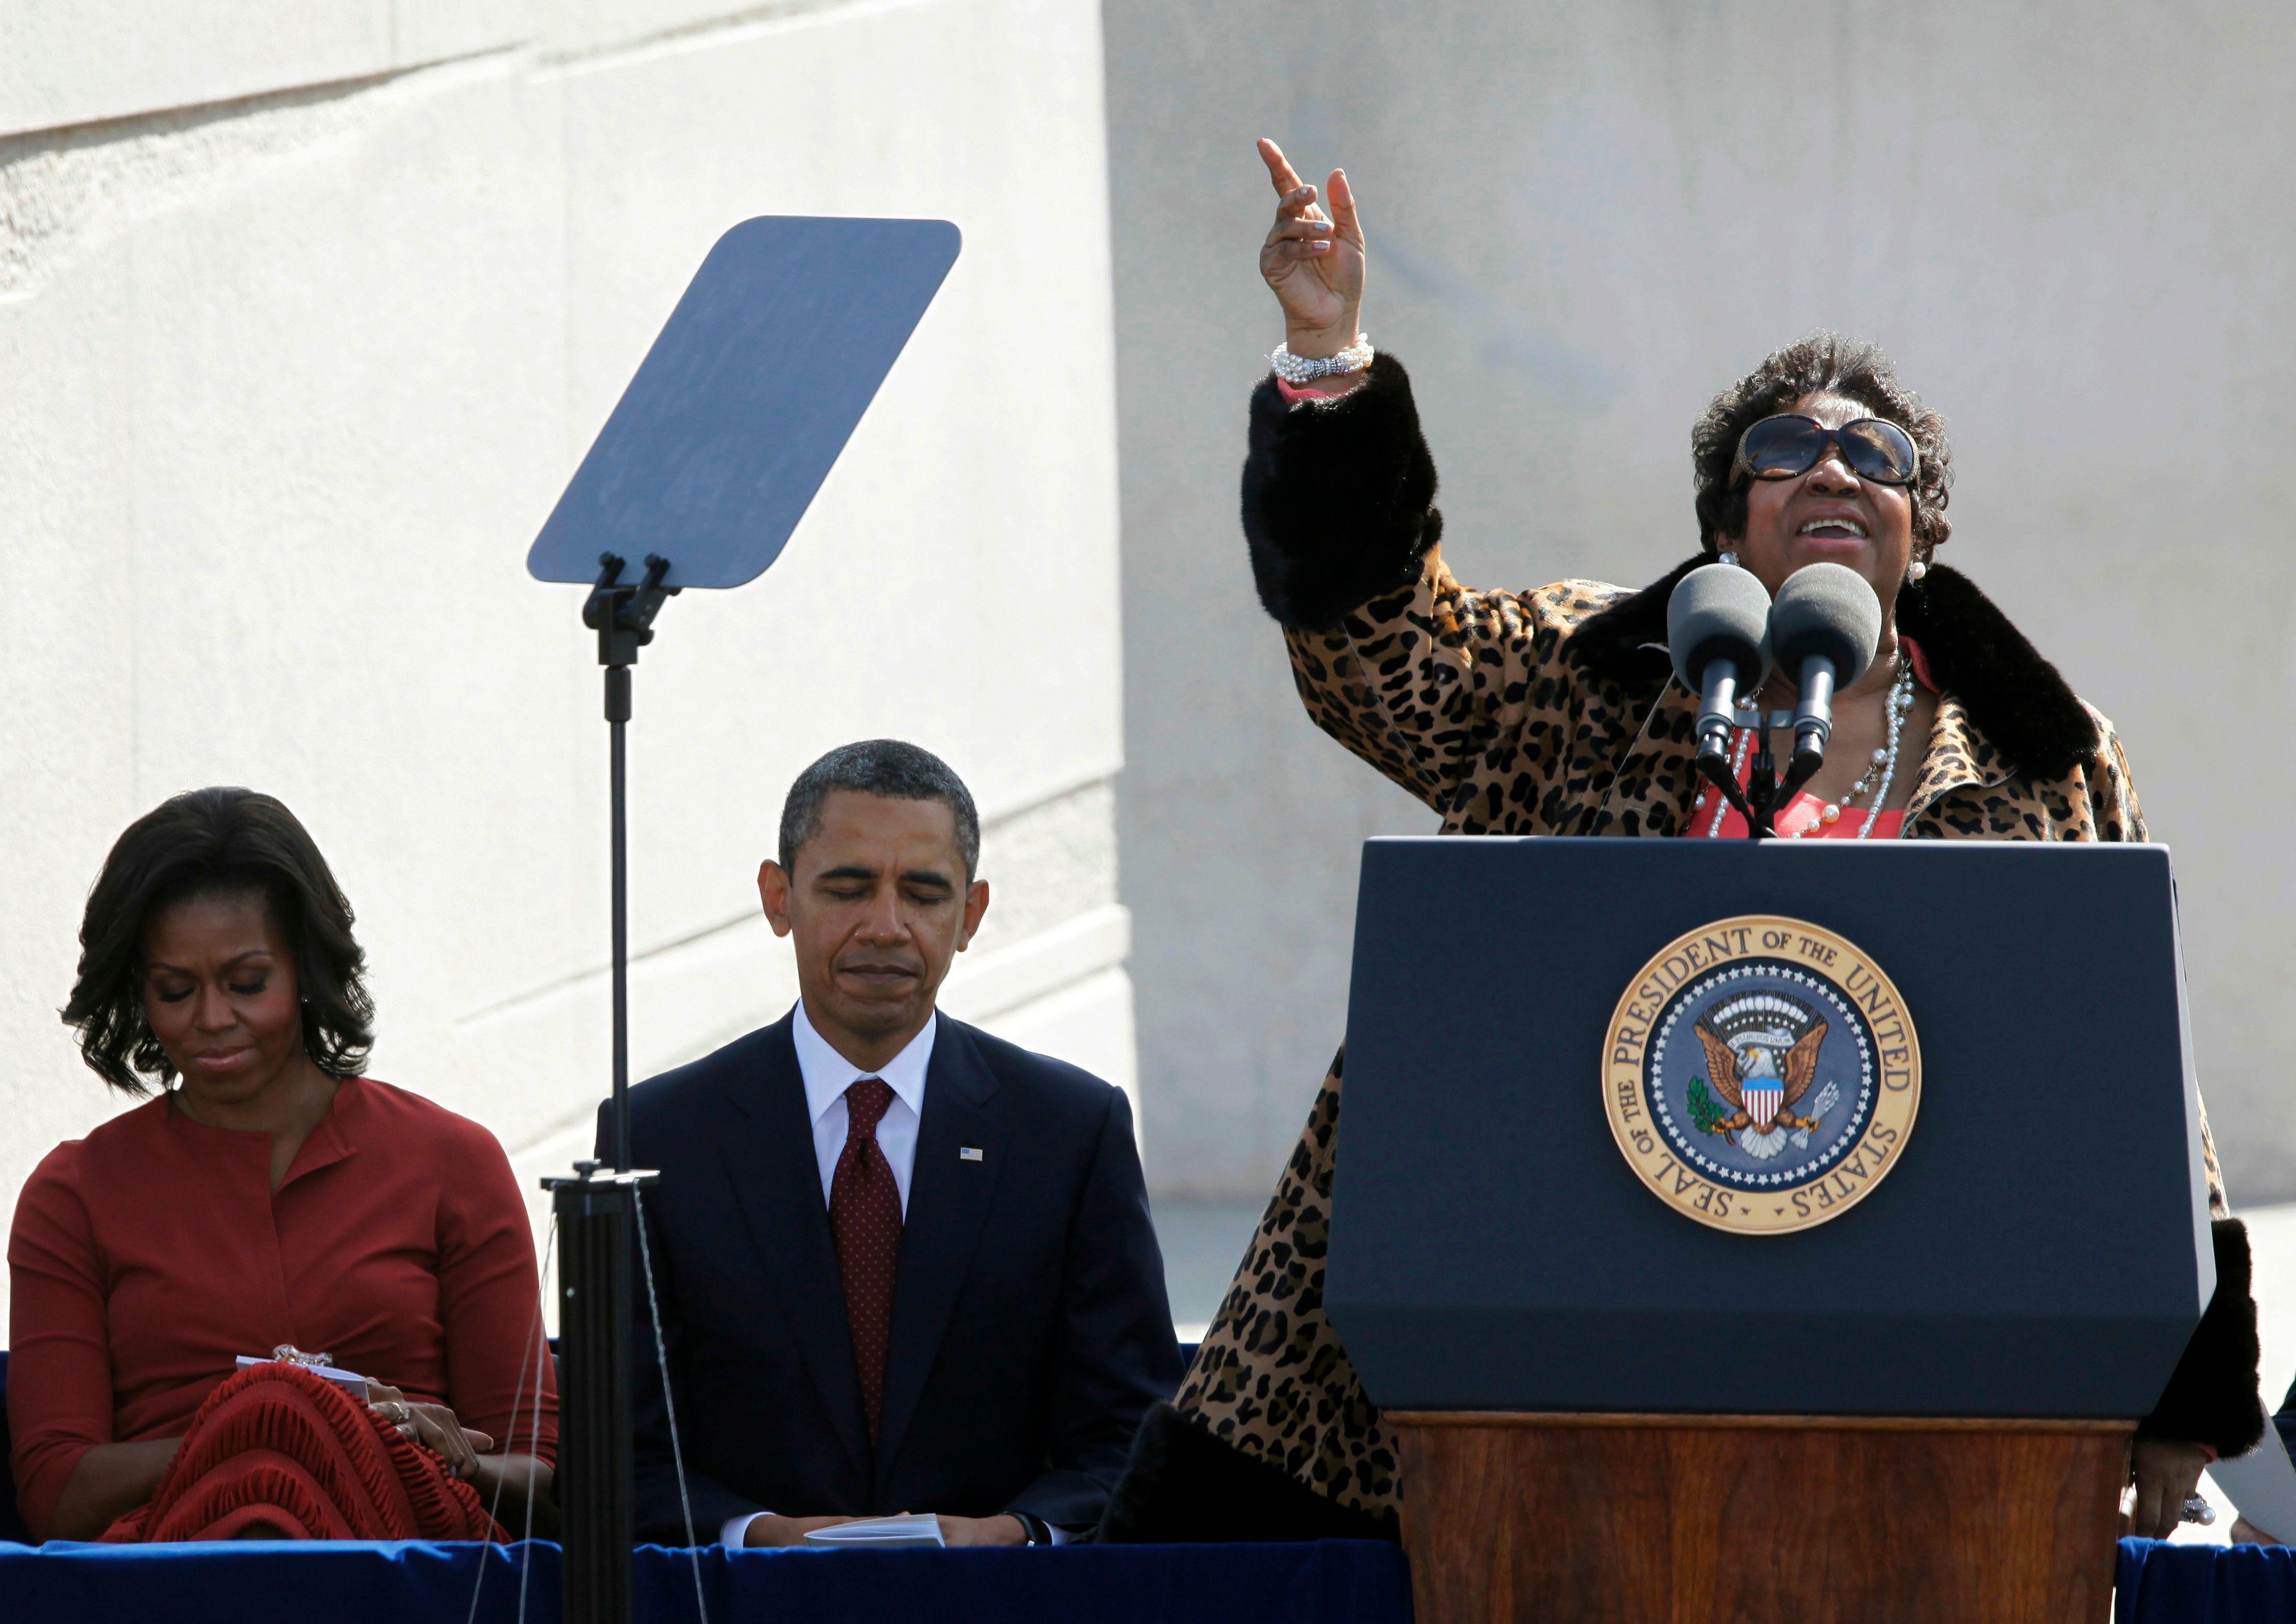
[1824, 364]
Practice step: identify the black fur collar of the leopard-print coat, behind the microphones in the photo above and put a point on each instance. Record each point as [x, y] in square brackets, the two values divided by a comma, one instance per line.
[2017, 699]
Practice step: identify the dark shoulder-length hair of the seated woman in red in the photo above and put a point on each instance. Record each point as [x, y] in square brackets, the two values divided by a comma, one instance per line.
[205, 844]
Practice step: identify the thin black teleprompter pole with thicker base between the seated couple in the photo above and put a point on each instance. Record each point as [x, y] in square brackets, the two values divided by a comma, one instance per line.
[596, 1207]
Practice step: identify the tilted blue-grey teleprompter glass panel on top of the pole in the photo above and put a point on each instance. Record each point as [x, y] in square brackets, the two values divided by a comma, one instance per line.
[747, 399]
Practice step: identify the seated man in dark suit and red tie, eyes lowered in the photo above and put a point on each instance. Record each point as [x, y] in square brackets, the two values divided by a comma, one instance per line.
[903, 1267]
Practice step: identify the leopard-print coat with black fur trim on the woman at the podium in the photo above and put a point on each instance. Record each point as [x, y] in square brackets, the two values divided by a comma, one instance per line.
[1537, 713]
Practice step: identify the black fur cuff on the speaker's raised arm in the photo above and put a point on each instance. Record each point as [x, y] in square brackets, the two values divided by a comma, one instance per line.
[1337, 500]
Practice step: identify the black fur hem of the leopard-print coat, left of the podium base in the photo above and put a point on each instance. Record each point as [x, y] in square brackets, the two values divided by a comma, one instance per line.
[1188, 1487]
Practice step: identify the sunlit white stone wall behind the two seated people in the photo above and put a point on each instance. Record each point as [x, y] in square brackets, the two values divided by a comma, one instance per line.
[309, 311]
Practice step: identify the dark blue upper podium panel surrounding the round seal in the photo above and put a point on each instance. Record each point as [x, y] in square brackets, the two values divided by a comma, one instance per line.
[2040, 1246]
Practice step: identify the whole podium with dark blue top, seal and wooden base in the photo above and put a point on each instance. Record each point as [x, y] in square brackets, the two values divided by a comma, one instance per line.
[1767, 1230]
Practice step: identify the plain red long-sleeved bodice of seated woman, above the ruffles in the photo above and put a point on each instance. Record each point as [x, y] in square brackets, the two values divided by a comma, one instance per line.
[153, 1253]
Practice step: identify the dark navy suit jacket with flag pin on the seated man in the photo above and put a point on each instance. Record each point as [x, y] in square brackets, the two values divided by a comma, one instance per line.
[1030, 1315]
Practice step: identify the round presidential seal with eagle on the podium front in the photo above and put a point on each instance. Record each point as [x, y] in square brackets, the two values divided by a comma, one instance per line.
[1762, 1076]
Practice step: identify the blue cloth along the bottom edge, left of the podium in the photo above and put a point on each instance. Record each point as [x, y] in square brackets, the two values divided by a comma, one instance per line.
[1337, 1582]
